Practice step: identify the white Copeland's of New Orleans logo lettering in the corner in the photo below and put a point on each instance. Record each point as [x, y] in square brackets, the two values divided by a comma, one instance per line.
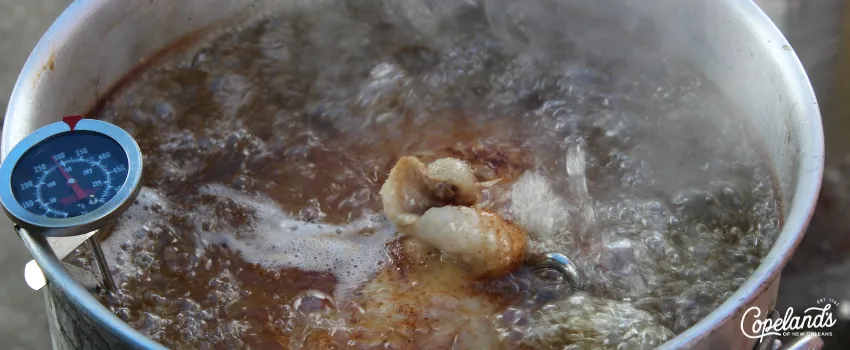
[813, 318]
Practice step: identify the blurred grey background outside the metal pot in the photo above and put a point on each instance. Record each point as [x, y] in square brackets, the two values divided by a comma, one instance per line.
[819, 31]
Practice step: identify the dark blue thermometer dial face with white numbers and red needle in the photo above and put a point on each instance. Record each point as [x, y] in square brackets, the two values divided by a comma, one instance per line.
[69, 174]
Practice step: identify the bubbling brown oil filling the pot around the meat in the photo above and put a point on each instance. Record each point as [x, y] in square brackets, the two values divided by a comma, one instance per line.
[260, 222]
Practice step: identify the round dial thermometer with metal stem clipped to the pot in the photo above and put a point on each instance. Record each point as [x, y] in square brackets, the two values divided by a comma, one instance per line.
[70, 178]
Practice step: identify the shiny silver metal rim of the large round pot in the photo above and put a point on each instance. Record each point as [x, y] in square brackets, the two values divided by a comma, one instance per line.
[805, 196]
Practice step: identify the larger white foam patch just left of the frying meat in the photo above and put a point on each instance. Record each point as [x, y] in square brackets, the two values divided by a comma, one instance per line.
[278, 239]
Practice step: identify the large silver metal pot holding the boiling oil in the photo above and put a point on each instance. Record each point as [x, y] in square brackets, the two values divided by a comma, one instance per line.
[95, 43]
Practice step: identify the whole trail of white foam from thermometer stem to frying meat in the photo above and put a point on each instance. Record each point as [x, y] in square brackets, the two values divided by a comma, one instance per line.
[352, 252]
